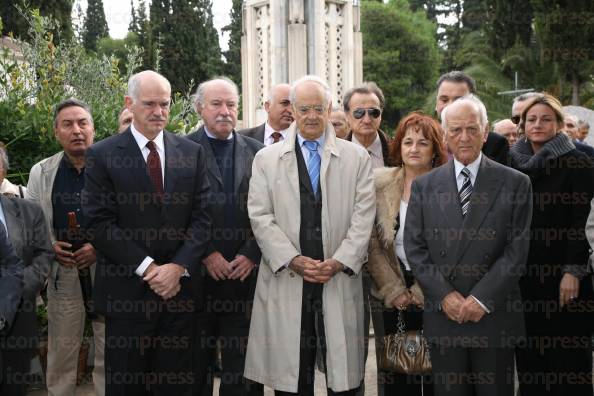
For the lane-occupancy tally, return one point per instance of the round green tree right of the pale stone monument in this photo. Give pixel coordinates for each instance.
(400, 54)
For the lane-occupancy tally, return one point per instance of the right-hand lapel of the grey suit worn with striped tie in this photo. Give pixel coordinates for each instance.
(484, 193)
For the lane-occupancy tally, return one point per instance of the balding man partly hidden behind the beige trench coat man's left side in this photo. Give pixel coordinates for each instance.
(280, 116)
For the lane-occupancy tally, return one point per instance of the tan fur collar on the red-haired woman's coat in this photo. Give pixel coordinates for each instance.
(389, 186)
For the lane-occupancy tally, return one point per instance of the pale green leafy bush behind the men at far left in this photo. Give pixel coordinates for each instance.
(52, 73)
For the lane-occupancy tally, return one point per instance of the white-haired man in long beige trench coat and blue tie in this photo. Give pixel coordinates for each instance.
(311, 204)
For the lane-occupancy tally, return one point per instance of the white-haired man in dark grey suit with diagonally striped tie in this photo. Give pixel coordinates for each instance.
(466, 239)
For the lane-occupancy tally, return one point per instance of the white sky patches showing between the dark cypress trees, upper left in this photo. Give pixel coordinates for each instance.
(117, 13)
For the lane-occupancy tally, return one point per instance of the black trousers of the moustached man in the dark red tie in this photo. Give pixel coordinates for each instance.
(150, 357)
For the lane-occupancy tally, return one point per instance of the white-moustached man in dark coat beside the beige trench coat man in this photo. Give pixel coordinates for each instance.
(232, 254)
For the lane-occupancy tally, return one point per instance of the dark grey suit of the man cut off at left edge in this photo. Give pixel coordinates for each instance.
(29, 235)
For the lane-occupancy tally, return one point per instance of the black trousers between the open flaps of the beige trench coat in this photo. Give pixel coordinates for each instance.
(312, 341)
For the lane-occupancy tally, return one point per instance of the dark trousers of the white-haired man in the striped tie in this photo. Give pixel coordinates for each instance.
(472, 371)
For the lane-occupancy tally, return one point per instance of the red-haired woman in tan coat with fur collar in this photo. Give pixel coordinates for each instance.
(416, 149)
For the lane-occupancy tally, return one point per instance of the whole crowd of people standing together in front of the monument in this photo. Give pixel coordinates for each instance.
(262, 255)
